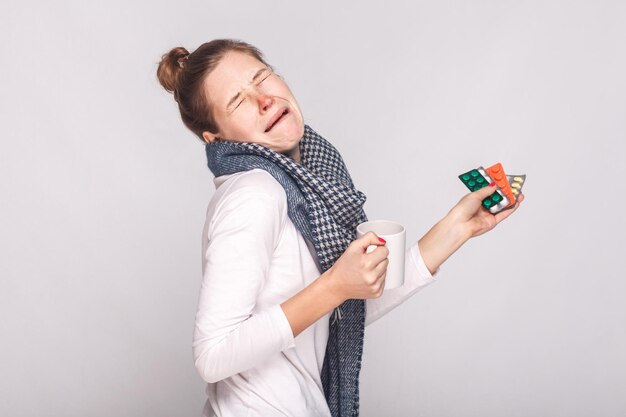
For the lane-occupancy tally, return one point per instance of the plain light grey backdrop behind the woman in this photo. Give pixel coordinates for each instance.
(104, 192)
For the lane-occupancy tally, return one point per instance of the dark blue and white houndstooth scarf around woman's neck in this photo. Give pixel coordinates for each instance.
(326, 208)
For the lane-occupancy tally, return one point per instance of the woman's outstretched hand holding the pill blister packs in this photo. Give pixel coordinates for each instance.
(477, 220)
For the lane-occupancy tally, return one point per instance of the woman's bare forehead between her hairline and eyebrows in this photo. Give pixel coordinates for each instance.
(233, 71)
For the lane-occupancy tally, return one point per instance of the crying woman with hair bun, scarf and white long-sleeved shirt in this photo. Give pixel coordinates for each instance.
(279, 248)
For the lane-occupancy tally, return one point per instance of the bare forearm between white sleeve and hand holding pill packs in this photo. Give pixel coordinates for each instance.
(441, 241)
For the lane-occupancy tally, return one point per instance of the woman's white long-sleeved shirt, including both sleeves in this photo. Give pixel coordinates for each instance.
(253, 260)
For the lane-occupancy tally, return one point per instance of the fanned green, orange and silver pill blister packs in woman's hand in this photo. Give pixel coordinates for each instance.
(508, 187)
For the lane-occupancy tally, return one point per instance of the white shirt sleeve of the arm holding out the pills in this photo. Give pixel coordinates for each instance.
(416, 277)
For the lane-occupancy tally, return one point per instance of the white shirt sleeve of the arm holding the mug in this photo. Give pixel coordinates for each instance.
(230, 334)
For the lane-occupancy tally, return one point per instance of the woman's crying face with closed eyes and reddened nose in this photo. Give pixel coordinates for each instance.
(250, 103)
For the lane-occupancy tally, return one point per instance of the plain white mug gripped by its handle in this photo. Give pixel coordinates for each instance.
(395, 235)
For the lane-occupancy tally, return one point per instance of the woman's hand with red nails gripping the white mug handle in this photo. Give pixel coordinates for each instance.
(357, 274)
